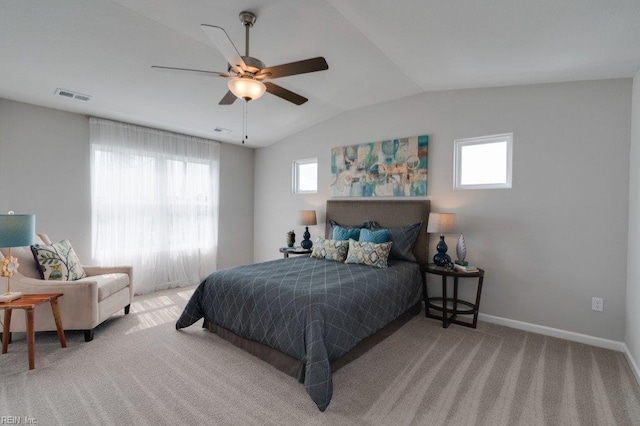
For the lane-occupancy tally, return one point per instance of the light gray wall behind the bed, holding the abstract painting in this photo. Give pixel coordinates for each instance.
(549, 244)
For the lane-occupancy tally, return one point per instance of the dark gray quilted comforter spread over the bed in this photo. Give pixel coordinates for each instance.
(313, 310)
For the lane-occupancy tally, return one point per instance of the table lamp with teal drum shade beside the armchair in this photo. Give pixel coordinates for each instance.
(16, 230)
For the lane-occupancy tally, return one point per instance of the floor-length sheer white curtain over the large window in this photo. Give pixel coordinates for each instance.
(154, 201)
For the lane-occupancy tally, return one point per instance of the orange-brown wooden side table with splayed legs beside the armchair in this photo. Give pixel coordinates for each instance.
(28, 302)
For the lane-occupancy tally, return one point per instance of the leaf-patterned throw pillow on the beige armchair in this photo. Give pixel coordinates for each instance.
(58, 261)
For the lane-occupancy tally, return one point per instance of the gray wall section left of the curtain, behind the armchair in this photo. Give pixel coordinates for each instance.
(44, 165)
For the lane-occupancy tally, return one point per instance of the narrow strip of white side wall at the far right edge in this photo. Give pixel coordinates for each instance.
(632, 332)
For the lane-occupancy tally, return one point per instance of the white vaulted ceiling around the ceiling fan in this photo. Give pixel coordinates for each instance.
(377, 50)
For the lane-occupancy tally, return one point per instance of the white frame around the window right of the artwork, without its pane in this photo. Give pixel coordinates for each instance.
(458, 144)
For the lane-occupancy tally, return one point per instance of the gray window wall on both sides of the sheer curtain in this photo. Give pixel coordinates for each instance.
(44, 169)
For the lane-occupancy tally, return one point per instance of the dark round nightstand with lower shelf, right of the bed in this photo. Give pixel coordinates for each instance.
(449, 314)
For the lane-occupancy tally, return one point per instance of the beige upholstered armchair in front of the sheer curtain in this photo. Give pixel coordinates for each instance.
(86, 303)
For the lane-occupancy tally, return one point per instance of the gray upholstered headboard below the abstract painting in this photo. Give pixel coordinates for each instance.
(388, 213)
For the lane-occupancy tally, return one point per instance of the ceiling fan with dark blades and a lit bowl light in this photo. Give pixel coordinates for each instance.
(247, 76)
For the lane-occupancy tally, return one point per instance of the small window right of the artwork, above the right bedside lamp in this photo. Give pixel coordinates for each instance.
(483, 162)
